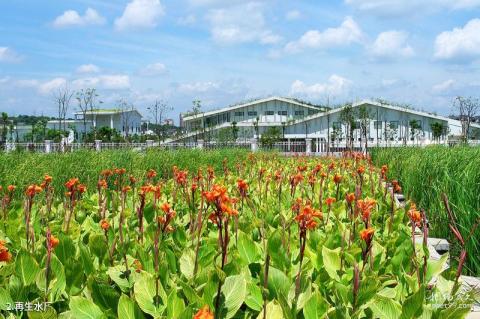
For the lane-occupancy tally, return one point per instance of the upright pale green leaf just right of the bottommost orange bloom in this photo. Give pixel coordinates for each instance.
(234, 291)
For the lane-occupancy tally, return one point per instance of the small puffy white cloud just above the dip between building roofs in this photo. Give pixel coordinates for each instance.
(336, 85)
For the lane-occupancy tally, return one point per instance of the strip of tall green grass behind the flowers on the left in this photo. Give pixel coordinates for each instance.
(23, 168)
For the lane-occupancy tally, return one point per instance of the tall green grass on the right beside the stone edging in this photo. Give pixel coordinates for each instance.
(427, 173)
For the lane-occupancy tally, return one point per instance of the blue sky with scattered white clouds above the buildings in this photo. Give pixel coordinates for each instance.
(420, 52)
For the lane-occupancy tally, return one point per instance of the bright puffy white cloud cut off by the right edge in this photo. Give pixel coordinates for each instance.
(460, 43)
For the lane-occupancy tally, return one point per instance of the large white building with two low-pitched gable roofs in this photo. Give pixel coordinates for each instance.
(299, 120)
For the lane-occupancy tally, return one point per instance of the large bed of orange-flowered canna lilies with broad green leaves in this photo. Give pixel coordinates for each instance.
(313, 238)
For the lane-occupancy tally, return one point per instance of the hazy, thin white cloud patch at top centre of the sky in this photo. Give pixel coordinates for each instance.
(241, 24)
